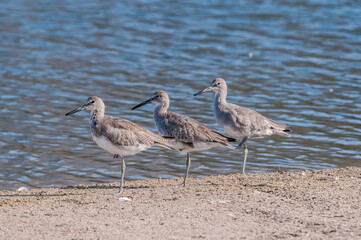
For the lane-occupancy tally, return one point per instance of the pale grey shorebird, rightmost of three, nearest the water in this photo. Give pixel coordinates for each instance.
(241, 122)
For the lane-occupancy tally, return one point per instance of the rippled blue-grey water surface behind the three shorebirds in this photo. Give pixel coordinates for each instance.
(298, 62)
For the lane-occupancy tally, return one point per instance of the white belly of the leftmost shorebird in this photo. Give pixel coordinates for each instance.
(108, 146)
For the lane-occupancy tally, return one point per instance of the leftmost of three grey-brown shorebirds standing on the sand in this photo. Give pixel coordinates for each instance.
(116, 135)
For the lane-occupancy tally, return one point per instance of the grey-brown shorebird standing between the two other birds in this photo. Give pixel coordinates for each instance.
(189, 134)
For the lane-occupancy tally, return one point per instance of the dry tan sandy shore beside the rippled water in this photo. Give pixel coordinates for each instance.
(322, 204)
